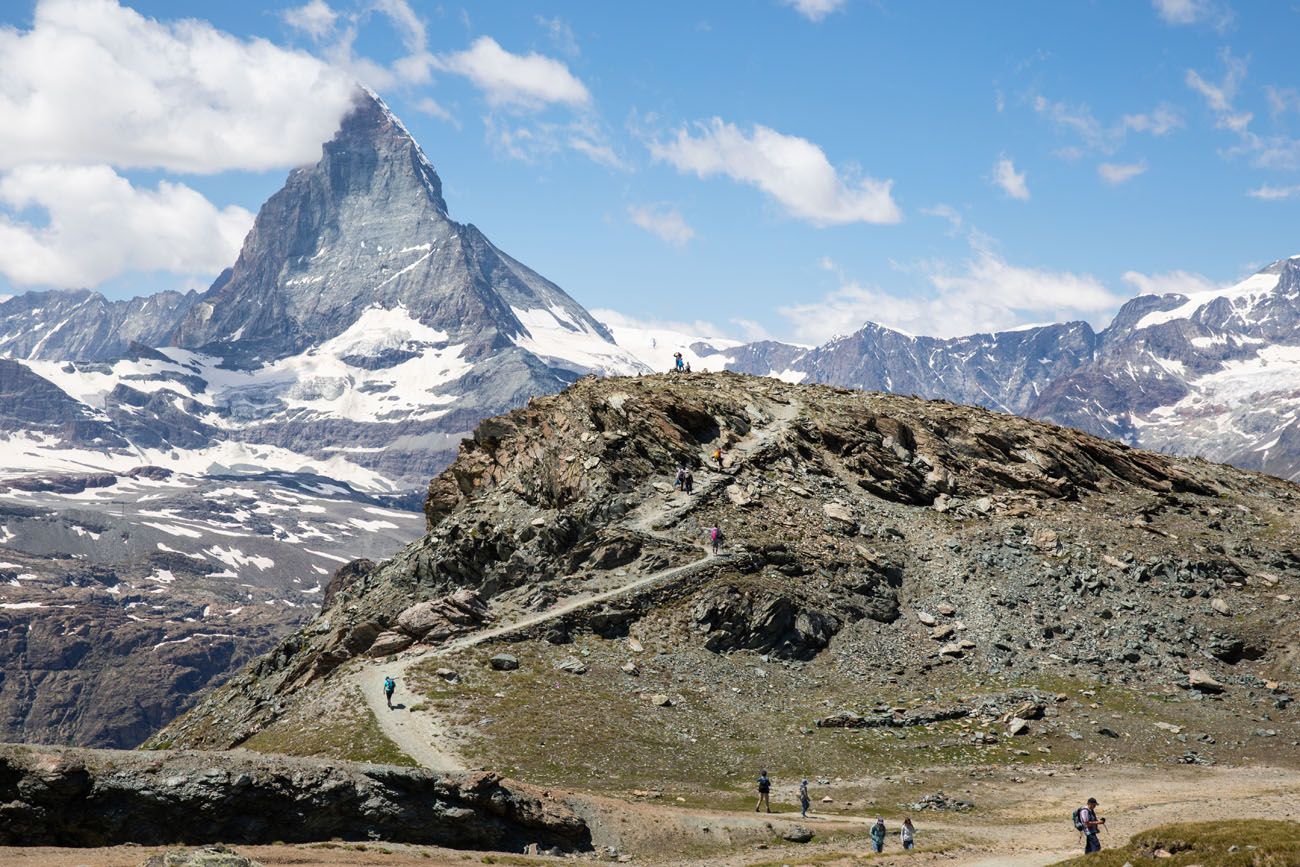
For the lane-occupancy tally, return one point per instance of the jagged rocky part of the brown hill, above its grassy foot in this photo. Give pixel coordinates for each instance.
(848, 519)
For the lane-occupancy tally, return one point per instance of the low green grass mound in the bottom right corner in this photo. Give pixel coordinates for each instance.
(1258, 844)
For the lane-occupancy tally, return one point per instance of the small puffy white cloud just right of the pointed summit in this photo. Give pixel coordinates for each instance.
(519, 81)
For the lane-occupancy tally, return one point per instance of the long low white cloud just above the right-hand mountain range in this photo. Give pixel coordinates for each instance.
(985, 294)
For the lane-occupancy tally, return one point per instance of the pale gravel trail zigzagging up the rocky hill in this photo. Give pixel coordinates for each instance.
(423, 735)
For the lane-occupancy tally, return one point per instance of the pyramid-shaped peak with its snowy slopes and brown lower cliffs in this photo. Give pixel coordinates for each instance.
(181, 475)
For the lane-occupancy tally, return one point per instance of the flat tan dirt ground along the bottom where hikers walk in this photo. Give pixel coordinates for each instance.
(1015, 825)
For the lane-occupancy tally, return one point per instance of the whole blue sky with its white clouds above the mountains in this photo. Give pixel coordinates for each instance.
(762, 167)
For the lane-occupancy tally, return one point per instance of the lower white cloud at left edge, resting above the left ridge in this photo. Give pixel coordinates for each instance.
(101, 227)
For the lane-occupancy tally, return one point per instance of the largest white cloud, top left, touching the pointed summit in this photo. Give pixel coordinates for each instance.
(98, 84)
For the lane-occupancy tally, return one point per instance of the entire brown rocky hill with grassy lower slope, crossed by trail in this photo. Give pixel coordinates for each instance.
(894, 575)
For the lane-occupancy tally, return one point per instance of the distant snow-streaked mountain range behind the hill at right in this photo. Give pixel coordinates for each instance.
(1215, 375)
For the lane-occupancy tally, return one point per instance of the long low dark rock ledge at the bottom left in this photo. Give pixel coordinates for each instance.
(66, 797)
